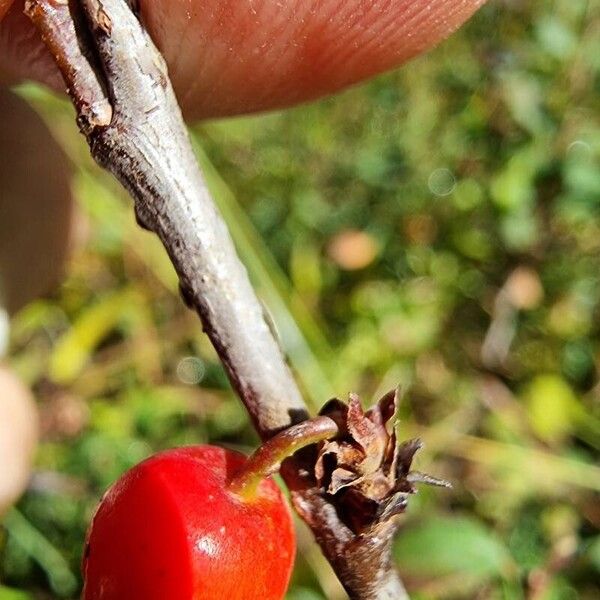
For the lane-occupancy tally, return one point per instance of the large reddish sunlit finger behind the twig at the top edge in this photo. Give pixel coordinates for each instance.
(236, 56)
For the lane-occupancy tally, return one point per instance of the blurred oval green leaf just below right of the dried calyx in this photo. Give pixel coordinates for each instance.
(446, 545)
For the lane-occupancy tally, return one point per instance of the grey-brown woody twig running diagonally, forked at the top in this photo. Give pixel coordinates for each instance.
(109, 64)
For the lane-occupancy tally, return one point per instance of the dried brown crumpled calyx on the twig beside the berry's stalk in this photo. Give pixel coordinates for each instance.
(365, 469)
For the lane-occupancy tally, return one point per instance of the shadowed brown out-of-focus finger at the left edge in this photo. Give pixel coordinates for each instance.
(38, 218)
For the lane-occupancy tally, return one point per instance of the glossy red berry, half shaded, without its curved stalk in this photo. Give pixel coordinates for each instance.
(169, 529)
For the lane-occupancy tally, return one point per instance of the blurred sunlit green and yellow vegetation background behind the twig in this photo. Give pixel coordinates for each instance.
(438, 228)
